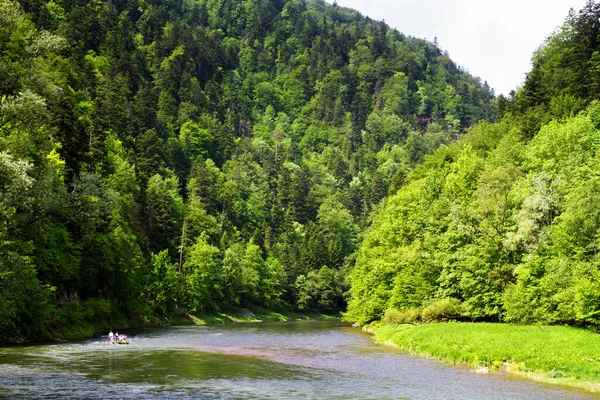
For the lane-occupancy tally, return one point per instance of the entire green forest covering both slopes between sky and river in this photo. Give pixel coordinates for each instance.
(163, 158)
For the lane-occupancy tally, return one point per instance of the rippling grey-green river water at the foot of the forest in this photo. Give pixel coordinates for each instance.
(299, 360)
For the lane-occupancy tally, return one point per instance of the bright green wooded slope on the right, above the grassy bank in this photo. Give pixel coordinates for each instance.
(504, 224)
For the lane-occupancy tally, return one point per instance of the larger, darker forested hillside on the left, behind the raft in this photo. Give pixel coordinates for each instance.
(164, 156)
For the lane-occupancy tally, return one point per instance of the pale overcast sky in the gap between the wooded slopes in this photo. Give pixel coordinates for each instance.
(491, 39)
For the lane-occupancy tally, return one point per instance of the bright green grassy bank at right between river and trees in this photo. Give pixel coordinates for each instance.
(553, 354)
